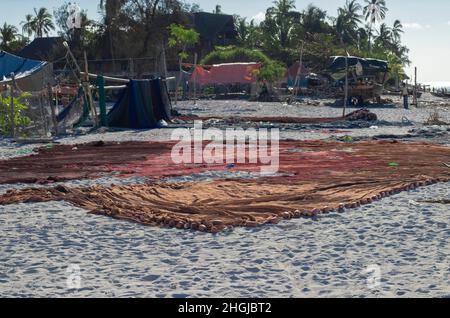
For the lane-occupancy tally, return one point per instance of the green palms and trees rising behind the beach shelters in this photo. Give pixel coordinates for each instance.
(140, 28)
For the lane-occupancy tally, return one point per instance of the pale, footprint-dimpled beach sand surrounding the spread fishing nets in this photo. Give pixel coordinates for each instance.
(402, 239)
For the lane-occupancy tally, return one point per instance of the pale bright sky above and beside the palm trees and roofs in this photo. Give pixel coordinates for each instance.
(427, 24)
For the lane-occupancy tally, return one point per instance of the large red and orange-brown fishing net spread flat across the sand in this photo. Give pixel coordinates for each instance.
(319, 177)
